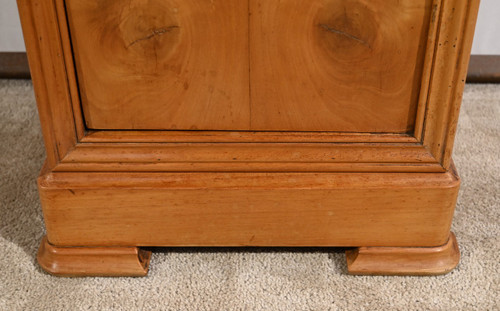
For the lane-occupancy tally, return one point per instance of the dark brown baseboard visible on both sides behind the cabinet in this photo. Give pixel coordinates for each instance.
(482, 68)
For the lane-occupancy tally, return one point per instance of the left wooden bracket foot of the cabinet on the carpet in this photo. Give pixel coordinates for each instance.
(93, 261)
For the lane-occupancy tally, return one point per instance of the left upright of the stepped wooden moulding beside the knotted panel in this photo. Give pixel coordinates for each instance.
(49, 73)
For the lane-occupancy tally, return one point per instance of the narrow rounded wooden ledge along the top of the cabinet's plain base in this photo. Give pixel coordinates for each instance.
(252, 181)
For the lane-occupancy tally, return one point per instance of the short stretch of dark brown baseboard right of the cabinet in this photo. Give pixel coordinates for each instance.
(484, 69)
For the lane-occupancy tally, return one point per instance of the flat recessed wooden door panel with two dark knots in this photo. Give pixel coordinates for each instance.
(261, 65)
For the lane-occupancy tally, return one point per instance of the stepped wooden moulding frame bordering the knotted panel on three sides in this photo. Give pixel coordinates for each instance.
(70, 148)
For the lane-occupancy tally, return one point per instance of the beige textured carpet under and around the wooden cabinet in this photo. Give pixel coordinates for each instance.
(251, 279)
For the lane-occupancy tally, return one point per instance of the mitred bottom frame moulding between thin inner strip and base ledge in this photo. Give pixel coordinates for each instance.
(249, 157)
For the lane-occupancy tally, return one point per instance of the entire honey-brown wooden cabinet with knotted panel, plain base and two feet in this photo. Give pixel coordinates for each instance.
(248, 123)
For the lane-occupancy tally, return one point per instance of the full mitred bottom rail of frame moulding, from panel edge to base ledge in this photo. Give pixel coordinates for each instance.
(248, 151)
